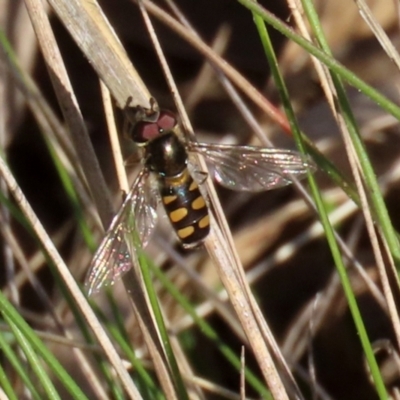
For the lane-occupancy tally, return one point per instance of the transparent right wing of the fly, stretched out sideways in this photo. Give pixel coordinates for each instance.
(251, 168)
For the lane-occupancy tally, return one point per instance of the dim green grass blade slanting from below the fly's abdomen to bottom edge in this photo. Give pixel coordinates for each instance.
(210, 333)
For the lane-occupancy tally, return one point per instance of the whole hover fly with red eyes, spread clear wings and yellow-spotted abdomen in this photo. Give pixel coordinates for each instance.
(168, 177)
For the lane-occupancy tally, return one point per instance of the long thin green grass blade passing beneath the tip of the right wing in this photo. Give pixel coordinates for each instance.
(380, 387)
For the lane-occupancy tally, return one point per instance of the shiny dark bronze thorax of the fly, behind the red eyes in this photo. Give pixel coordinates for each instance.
(166, 155)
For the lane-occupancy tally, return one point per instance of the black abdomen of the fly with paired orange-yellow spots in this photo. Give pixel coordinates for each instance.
(186, 209)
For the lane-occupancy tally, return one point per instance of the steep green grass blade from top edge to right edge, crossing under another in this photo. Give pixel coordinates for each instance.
(380, 210)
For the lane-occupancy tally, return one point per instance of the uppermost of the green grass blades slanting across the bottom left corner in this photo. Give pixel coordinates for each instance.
(16, 320)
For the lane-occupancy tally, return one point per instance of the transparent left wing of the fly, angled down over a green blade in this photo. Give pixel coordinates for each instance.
(135, 219)
